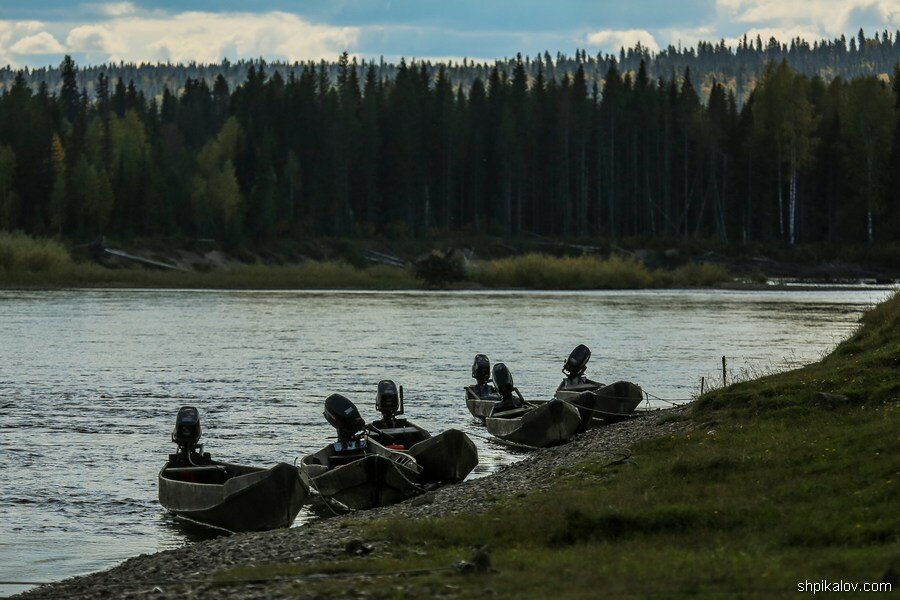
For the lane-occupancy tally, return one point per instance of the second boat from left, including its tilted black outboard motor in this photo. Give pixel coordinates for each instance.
(357, 472)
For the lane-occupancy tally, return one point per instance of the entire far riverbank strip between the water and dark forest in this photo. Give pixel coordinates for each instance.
(43, 263)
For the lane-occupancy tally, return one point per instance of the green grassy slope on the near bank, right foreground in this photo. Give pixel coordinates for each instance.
(763, 492)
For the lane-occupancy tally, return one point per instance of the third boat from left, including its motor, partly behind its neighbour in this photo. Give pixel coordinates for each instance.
(446, 457)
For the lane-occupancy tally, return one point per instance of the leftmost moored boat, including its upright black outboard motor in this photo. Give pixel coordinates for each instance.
(226, 496)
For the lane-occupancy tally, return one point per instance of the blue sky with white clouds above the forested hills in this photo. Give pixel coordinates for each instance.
(39, 32)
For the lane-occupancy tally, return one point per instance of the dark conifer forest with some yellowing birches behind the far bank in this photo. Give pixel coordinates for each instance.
(541, 149)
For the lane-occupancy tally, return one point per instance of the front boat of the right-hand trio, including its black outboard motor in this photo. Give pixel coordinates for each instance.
(516, 422)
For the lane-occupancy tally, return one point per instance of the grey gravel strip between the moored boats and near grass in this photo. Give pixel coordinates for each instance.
(184, 572)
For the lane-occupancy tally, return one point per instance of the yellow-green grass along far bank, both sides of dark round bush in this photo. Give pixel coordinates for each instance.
(29, 262)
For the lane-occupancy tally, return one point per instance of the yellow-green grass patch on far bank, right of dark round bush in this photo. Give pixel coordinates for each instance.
(540, 271)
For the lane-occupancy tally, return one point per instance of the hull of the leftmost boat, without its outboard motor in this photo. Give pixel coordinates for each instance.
(255, 500)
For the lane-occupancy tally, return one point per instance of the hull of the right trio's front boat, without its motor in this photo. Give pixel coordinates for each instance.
(545, 425)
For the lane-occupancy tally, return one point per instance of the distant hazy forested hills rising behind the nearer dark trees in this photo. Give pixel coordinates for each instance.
(737, 65)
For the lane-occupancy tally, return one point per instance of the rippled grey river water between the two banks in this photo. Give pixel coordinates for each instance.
(90, 381)
